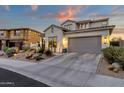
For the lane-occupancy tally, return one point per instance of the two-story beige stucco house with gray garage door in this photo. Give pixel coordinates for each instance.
(79, 36)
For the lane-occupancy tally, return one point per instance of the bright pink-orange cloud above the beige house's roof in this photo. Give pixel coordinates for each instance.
(69, 12)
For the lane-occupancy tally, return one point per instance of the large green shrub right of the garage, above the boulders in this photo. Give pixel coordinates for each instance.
(114, 54)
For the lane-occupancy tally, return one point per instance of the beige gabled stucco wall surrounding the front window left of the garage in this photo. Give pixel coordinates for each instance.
(56, 32)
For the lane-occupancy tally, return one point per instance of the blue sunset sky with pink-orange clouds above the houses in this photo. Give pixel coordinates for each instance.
(39, 17)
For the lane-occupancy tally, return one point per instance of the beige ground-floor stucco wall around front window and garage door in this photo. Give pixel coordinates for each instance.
(62, 38)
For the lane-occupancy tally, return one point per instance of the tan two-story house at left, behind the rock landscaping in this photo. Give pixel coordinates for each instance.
(19, 37)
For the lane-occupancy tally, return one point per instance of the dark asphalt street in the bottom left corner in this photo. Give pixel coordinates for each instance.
(12, 79)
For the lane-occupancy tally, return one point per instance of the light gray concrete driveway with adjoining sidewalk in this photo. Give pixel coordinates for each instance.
(66, 70)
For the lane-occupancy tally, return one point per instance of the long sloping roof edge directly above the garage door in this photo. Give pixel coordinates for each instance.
(110, 28)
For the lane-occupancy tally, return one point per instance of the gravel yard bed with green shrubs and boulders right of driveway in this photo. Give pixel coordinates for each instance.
(112, 63)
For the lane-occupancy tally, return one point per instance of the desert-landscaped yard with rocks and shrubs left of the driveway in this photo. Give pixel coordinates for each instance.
(29, 55)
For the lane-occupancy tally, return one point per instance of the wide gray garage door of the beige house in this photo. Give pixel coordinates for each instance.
(85, 44)
